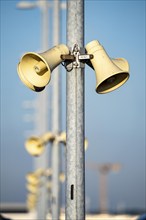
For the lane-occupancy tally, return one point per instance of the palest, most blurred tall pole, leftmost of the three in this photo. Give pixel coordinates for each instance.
(42, 123)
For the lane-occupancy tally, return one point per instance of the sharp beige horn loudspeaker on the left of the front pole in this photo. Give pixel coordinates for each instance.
(34, 69)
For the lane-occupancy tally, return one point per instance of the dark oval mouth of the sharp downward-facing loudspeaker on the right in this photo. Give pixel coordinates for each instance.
(112, 83)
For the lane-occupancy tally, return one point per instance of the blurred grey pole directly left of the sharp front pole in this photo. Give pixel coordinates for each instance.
(56, 120)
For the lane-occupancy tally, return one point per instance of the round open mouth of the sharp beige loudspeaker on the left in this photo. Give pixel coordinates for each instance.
(34, 71)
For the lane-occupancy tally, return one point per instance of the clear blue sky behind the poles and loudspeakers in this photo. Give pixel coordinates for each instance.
(114, 122)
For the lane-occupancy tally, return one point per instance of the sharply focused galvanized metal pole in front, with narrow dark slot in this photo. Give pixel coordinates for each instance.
(75, 184)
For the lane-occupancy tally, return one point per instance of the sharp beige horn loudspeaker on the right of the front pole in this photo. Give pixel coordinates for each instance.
(110, 73)
